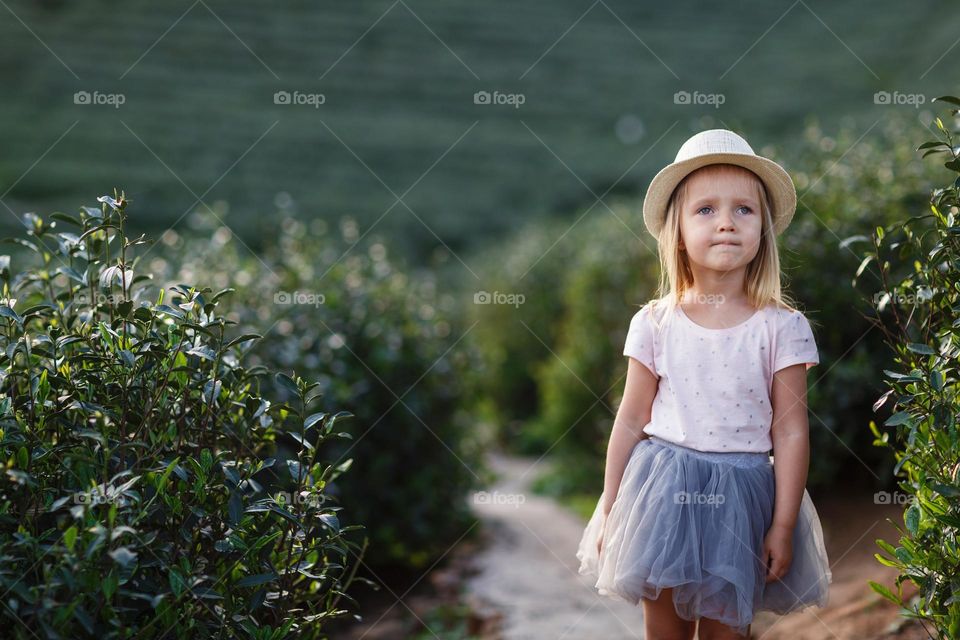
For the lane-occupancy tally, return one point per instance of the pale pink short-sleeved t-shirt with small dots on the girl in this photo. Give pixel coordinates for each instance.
(715, 384)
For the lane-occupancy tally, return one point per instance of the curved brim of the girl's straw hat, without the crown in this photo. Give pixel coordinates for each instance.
(778, 183)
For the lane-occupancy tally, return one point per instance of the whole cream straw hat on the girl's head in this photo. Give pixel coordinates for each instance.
(716, 146)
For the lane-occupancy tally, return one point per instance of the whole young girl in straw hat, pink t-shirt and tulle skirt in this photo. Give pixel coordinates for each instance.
(695, 519)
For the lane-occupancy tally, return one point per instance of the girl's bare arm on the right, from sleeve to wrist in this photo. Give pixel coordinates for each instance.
(791, 443)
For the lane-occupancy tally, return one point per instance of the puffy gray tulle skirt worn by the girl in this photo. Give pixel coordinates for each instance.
(695, 521)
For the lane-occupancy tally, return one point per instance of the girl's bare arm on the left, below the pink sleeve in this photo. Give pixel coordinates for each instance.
(632, 416)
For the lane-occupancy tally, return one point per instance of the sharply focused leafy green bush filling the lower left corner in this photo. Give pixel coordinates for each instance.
(142, 494)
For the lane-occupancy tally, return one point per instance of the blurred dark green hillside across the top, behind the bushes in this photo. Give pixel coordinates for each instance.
(180, 101)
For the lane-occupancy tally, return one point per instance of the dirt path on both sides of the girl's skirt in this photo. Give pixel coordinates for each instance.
(528, 574)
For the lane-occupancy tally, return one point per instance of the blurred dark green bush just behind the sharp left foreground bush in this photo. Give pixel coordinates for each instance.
(383, 340)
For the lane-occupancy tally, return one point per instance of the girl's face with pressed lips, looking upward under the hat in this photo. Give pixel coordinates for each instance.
(721, 220)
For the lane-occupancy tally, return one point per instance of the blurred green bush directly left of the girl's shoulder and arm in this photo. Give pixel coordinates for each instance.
(580, 384)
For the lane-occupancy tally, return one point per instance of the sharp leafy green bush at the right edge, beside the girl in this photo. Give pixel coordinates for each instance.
(919, 303)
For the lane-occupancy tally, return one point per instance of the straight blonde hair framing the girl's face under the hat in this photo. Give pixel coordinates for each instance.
(762, 278)
